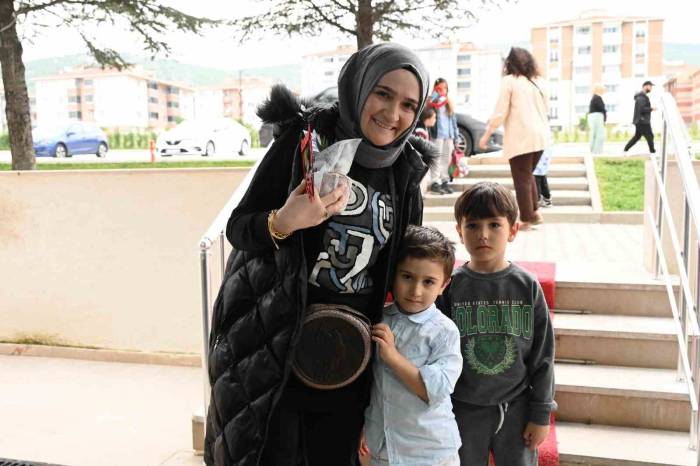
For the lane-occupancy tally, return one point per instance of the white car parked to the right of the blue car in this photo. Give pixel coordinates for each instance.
(205, 137)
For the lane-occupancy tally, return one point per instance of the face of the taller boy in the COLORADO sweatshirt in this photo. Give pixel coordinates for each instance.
(486, 238)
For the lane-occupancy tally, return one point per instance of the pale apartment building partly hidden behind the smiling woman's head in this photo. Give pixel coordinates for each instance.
(473, 74)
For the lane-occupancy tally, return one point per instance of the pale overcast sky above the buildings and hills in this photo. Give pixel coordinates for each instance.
(510, 24)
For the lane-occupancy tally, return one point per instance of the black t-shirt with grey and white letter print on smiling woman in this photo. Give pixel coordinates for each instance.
(350, 242)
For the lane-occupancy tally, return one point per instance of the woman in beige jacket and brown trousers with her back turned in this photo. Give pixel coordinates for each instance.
(522, 111)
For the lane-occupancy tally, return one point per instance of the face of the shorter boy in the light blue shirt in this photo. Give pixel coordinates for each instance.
(418, 283)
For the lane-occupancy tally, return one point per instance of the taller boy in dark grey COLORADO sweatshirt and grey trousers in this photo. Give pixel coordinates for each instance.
(505, 394)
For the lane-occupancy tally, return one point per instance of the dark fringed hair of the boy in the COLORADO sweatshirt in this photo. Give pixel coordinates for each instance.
(485, 200)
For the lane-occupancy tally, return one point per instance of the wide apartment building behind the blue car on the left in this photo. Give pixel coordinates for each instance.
(129, 99)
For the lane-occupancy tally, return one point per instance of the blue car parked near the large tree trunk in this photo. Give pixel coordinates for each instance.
(68, 139)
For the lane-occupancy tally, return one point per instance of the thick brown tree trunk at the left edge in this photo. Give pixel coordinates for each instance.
(19, 122)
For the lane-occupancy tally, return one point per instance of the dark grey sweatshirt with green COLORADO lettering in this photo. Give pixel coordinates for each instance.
(506, 339)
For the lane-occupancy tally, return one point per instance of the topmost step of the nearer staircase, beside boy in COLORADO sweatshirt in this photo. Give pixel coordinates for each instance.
(639, 298)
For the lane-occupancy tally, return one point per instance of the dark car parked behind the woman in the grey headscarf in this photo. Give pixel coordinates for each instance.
(470, 129)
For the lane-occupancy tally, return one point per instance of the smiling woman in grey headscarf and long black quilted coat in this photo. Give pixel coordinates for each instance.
(291, 251)
